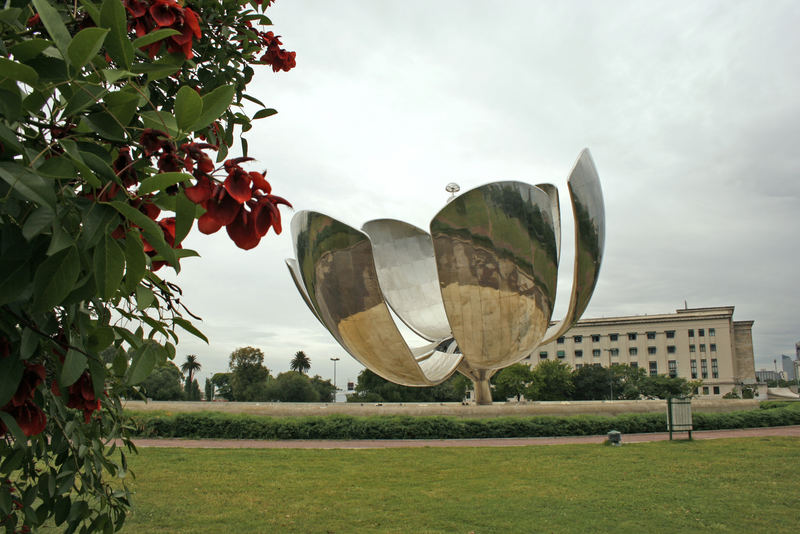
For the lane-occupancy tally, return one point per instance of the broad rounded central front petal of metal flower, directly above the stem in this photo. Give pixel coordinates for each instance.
(498, 264)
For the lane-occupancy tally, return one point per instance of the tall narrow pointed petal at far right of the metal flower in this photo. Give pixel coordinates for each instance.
(590, 235)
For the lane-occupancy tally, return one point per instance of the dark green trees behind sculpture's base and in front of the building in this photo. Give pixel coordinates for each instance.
(551, 380)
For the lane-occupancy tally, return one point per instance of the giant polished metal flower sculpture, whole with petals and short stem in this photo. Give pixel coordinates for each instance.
(479, 288)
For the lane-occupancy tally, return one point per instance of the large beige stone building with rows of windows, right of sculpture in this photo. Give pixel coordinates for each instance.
(696, 343)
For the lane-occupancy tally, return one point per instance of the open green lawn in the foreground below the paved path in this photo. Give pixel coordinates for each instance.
(732, 485)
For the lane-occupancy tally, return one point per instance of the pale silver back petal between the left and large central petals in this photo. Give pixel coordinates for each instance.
(407, 276)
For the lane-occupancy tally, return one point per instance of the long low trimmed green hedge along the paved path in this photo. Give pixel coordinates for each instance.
(225, 426)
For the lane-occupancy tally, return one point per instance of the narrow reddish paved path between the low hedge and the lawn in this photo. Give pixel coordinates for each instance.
(793, 431)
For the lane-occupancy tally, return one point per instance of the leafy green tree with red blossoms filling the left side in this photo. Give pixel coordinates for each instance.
(108, 114)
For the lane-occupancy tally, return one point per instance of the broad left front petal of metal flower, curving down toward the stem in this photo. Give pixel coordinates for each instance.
(335, 263)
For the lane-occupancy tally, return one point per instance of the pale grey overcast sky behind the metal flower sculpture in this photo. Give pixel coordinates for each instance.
(691, 111)
